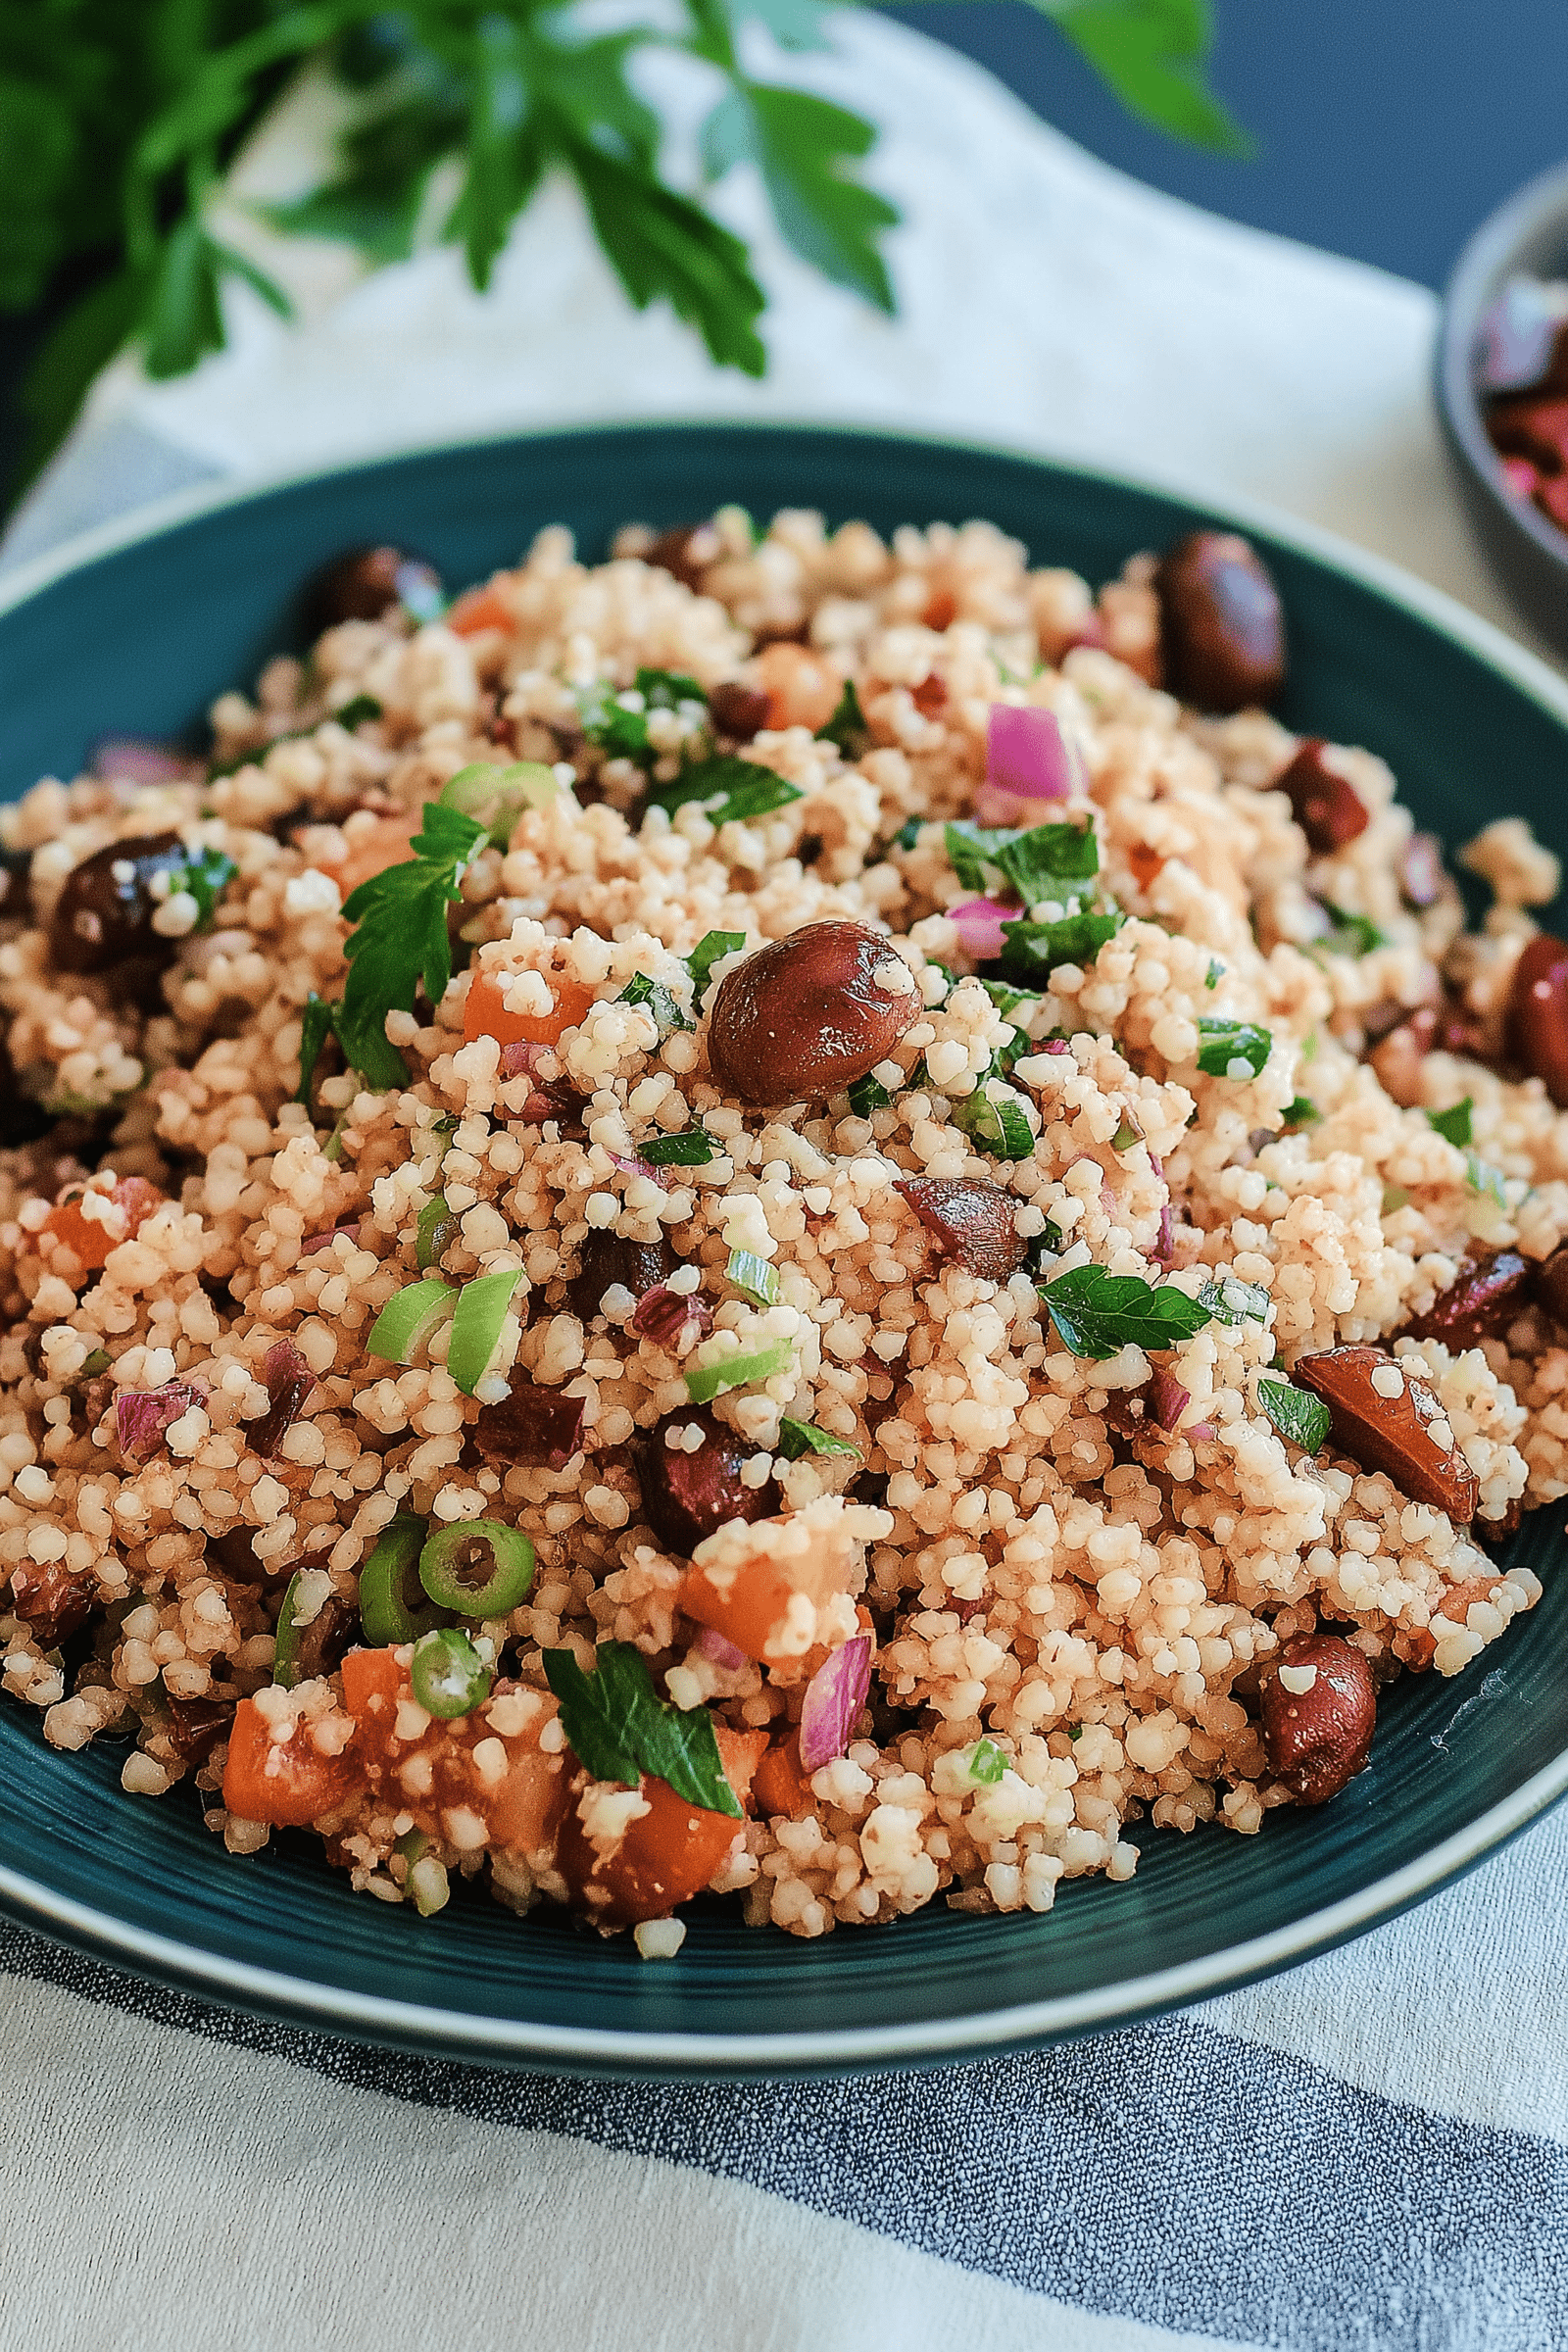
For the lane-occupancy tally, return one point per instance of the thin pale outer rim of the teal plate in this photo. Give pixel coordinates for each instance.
(932, 2040)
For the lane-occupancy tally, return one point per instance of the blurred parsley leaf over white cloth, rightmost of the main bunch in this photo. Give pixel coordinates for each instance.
(805, 147)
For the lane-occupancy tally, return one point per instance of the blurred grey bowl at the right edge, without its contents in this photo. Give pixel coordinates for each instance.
(1527, 236)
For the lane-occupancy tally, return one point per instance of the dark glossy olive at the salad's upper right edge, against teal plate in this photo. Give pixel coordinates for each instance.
(1224, 634)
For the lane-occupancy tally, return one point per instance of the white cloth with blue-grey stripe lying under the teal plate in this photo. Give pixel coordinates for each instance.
(1369, 2153)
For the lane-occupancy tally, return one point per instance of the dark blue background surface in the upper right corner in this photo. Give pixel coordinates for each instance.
(1386, 128)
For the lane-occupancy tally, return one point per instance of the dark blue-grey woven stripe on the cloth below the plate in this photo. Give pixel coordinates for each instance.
(1170, 2174)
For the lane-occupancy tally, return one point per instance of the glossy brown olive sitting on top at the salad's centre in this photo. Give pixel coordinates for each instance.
(808, 1015)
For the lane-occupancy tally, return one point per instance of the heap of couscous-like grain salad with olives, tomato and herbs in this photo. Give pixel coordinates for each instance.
(793, 1215)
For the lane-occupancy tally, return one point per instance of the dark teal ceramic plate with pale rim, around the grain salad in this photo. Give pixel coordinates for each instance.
(135, 632)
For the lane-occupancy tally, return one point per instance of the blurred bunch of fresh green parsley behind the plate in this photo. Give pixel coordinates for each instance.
(119, 121)
